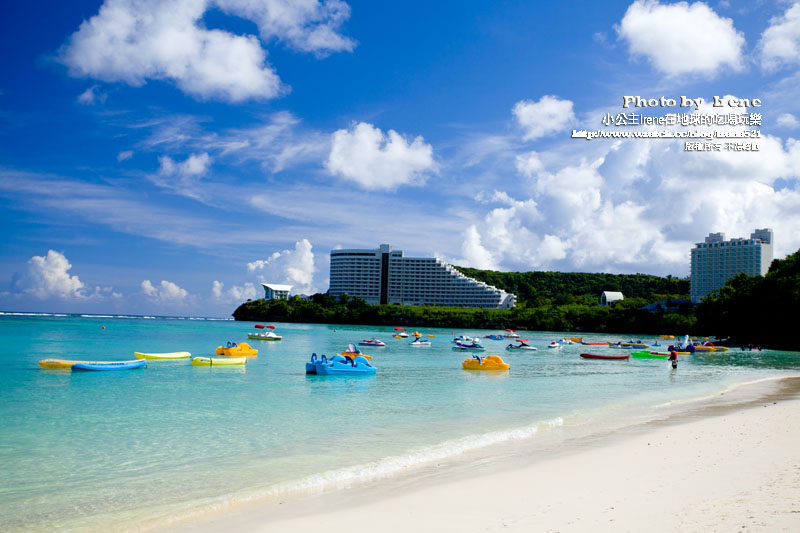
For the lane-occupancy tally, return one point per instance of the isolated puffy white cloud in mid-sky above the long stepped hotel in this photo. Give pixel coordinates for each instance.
(364, 155)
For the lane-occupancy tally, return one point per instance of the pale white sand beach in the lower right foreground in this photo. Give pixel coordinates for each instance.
(706, 462)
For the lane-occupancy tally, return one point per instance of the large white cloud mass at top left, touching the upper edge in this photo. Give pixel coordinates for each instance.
(133, 41)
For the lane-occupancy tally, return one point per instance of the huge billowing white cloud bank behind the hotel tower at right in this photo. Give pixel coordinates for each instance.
(637, 206)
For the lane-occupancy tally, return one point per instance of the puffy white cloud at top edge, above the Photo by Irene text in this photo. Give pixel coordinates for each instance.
(682, 38)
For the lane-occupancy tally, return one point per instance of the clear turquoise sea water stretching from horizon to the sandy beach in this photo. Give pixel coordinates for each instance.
(99, 451)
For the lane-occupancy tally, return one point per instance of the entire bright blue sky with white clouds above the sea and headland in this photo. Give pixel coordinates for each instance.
(166, 157)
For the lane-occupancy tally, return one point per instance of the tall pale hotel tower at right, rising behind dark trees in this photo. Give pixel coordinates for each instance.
(717, 260)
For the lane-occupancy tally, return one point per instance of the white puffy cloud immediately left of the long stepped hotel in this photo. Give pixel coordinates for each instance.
(291, 267)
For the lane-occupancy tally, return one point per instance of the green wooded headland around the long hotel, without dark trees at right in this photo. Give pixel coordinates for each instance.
(547, 301)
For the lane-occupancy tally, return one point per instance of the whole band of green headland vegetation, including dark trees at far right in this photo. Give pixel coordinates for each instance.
(747, 310)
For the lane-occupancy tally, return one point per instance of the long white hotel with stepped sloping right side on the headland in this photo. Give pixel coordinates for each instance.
(384, 276)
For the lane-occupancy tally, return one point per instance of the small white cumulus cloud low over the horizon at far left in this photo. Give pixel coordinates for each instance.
(48, 277)
